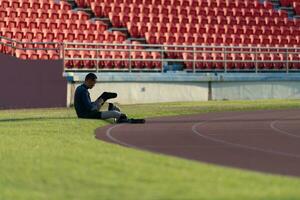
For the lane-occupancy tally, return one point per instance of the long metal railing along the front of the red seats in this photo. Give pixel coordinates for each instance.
(151, 57)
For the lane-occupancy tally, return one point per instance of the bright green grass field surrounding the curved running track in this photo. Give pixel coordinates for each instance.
(50, 154)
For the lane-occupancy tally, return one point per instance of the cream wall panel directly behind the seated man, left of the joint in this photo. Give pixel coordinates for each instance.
(137, 93)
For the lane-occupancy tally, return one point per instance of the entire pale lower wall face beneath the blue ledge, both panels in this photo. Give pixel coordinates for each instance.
(157, 92)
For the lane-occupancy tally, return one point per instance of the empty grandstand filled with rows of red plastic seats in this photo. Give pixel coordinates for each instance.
(201, 35)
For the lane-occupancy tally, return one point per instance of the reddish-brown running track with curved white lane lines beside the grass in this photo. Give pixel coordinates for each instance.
(265, 141)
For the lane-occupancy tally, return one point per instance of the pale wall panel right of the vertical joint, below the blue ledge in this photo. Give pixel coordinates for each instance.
(256, 90)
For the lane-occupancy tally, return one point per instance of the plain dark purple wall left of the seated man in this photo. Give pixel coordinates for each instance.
(31, 83)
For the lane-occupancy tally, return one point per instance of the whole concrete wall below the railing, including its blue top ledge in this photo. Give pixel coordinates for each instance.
(170, 87)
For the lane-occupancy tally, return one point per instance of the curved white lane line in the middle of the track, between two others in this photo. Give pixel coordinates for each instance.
(194, 129)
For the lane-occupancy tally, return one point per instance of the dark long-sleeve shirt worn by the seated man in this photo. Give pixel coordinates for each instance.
(82, 101)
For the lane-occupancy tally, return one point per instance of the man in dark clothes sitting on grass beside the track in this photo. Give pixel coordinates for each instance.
(85, 108)
